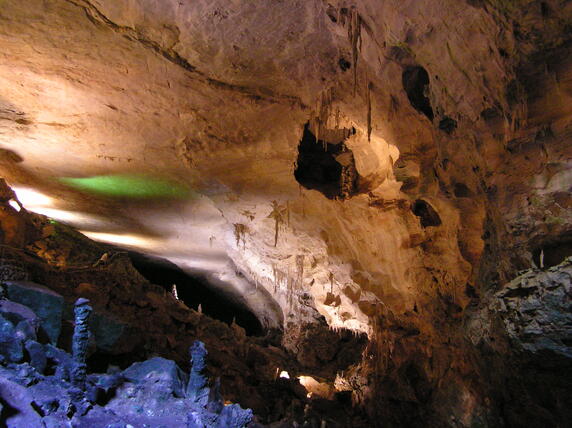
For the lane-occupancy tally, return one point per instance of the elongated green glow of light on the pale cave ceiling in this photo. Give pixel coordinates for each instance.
(128, 186)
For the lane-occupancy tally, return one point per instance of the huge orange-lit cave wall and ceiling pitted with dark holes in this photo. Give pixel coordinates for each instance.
(455, 119)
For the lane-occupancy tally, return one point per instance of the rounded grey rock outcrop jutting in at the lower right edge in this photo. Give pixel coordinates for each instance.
(523, 335)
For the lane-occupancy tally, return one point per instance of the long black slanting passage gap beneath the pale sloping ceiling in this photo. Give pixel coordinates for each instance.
(194, 291)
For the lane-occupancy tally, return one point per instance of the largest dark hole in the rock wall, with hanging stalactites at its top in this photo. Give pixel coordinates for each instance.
(325, 166)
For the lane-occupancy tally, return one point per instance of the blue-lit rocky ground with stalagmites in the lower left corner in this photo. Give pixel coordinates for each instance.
(148, 393)
